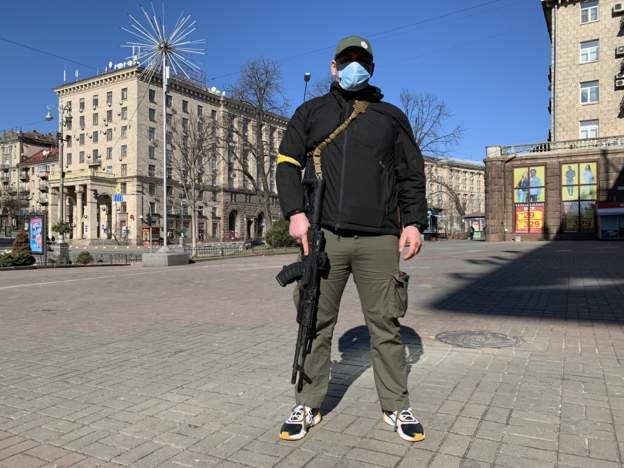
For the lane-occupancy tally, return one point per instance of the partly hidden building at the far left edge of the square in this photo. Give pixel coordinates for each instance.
(16, 146)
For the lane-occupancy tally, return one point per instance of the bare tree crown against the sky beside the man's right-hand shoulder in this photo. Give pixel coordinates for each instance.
(429, 117)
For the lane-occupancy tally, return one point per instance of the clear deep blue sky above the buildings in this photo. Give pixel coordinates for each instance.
(489, 64)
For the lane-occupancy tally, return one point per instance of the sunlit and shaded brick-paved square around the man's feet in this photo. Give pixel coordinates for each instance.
(190, 366)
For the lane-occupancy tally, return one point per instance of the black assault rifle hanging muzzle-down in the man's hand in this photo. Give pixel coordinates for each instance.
(308, 271)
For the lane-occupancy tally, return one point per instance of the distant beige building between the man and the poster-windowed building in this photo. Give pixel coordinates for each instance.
(455, 194)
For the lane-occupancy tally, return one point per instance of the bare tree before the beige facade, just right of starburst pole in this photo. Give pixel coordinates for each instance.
(193, 161)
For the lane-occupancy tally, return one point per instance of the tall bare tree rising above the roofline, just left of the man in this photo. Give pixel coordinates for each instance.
(259, 88)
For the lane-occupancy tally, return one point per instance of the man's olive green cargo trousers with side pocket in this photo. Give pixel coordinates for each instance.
(374, 262)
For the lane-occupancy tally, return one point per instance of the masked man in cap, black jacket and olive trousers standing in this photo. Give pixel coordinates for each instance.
(374, 206)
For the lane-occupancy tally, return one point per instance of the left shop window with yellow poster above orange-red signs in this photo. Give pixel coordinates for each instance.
(529, 199)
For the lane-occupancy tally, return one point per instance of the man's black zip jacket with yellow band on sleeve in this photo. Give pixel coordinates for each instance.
(373, 171)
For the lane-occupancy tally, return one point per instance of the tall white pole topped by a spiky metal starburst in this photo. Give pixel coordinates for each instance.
(157, 52)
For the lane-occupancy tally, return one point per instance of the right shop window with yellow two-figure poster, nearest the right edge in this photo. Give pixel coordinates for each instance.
(579, 184)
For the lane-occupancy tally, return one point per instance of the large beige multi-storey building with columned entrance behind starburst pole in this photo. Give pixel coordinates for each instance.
(113, 161)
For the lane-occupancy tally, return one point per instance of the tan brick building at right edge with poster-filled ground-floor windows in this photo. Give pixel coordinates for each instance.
(572, 185)
